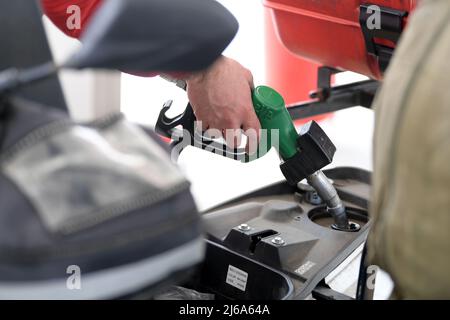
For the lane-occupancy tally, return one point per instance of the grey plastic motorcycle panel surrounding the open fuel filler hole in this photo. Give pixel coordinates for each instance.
(310, 250)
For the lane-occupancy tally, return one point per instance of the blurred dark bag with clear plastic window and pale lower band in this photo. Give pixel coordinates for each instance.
(89, 212)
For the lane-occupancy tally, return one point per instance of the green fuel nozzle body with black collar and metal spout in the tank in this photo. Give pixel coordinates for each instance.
(304, 154)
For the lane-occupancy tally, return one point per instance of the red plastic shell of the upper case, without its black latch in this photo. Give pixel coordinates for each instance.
(328, 31)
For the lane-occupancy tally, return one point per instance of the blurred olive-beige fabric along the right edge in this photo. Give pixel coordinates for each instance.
(411, 195)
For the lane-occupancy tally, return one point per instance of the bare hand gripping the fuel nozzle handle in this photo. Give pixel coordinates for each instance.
(221, 98)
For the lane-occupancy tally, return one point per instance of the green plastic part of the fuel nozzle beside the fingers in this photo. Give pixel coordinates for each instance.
(272, 114)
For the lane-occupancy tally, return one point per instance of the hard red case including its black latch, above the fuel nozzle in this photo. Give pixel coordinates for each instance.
(342, 34)
